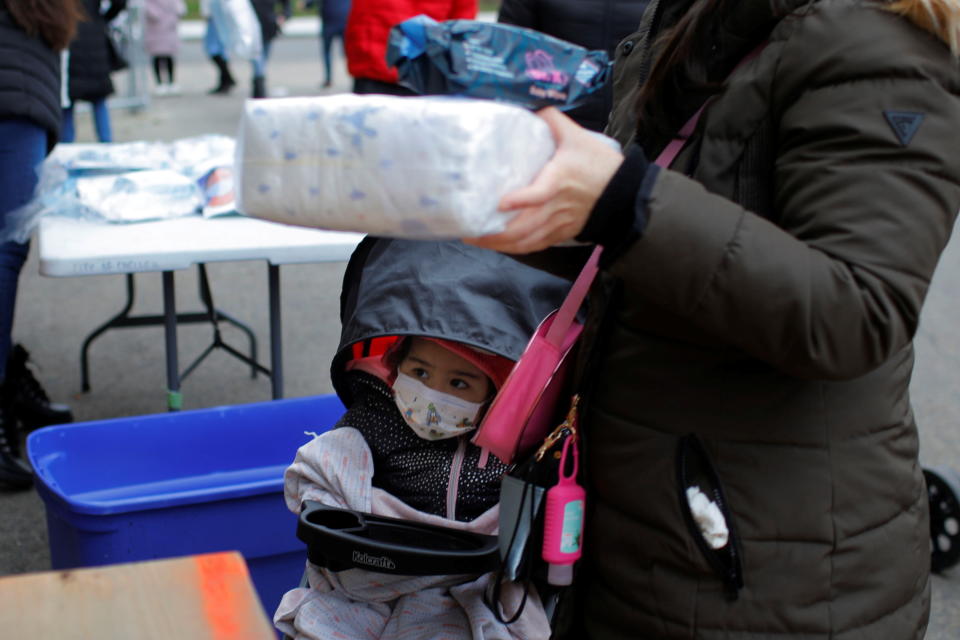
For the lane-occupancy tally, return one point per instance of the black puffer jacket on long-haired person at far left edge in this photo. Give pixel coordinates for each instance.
(29, 78)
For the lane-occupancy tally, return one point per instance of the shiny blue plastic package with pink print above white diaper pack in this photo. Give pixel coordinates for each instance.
(494, 61)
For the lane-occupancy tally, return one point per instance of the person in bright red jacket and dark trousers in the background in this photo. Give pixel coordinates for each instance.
(368, 29)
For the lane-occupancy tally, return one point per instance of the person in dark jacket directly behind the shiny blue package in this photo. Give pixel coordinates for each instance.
(592, 24)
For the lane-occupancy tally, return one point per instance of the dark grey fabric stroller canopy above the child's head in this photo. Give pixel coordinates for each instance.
(443, 290)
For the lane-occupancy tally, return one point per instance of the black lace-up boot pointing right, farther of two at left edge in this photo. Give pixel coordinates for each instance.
(25, 400)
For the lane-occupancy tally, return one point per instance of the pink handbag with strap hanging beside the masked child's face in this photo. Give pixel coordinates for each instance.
(522, 413)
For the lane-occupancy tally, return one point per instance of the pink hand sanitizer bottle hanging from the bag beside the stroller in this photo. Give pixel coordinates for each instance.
(563, 521)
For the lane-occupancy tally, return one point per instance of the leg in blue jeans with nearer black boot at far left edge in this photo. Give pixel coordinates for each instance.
(22, 148)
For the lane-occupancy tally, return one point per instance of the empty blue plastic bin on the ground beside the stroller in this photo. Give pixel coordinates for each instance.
(176, 484)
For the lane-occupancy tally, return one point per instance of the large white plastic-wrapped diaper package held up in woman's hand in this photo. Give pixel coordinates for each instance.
(410, 167)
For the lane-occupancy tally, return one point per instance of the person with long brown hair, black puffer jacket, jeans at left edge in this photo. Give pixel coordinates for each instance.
(31, 38)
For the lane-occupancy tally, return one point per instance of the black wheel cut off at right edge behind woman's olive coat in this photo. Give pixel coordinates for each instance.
(943, 490)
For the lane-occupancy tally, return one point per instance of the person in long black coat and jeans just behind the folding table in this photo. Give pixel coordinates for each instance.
(88, 76)
